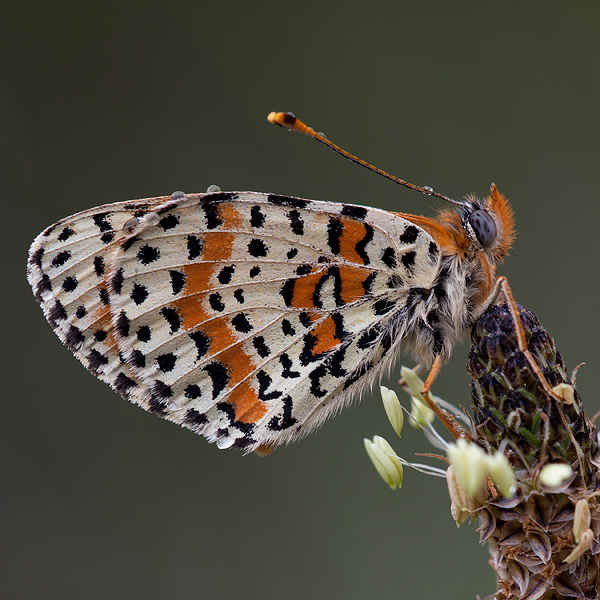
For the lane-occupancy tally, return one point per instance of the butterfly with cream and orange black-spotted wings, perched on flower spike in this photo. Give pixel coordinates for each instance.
(250, 318)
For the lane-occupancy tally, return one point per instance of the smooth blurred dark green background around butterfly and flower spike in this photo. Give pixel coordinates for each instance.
(101, 102)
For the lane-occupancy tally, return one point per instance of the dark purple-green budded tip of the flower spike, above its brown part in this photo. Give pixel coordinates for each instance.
(510, 404)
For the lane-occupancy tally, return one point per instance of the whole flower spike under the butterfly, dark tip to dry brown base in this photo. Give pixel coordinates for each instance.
(544, 542)
